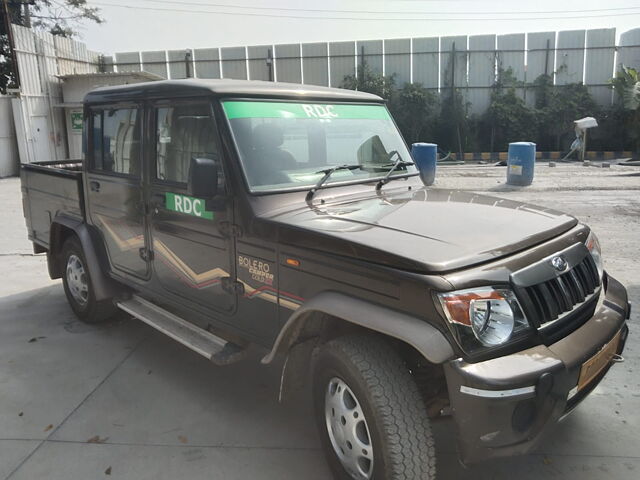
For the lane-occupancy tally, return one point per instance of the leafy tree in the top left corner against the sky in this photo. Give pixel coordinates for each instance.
(58, 17)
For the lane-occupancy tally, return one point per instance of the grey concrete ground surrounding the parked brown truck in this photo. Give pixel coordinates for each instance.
(122, 401)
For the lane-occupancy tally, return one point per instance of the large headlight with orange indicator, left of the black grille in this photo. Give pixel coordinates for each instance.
(483, 316)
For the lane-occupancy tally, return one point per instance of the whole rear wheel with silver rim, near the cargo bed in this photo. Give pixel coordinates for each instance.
(78, 287)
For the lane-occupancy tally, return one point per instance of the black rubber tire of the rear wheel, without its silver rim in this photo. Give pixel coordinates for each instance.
(89, 311)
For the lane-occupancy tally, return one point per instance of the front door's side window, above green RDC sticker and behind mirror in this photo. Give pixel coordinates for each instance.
(184, 132)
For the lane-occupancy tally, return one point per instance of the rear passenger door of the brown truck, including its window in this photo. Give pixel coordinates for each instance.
(114, 188)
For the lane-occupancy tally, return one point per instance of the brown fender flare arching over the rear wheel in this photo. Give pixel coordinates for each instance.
(104, 287)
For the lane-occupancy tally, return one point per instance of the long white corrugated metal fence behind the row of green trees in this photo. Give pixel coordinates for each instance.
(587, 56)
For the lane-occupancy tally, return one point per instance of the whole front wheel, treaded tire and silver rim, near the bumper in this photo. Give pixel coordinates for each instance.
(371, 417)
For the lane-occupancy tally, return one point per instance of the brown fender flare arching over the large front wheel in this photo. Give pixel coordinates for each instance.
(422, 336)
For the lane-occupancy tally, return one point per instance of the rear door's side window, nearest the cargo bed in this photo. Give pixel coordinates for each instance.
(116, 141)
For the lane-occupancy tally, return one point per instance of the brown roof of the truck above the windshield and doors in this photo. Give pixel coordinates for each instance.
(224, 88)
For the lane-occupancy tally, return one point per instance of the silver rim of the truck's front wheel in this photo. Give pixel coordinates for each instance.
(348, 430)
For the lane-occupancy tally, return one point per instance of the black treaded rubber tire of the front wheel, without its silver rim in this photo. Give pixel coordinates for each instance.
(399, 428)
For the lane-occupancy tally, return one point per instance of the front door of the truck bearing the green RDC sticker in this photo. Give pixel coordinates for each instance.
(191, 252)
